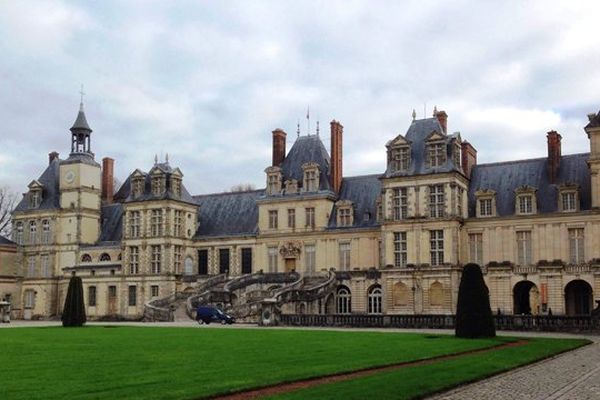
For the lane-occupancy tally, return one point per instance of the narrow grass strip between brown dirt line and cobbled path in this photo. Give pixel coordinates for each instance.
(416, 382)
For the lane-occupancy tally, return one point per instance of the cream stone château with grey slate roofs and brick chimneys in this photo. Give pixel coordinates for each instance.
(393, 242)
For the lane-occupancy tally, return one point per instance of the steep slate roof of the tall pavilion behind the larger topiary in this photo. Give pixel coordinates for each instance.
(417, 134)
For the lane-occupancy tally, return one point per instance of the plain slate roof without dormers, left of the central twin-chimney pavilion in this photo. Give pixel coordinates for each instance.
(228, 214)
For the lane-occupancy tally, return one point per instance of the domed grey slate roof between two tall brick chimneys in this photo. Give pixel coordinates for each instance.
(307, 149)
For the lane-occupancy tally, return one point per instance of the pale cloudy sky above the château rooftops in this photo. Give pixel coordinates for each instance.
(207, 82)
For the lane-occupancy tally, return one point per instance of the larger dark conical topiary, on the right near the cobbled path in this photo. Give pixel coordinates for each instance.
(473, 313)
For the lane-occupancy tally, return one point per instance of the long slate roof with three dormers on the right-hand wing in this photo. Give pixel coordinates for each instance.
(505, 177)
